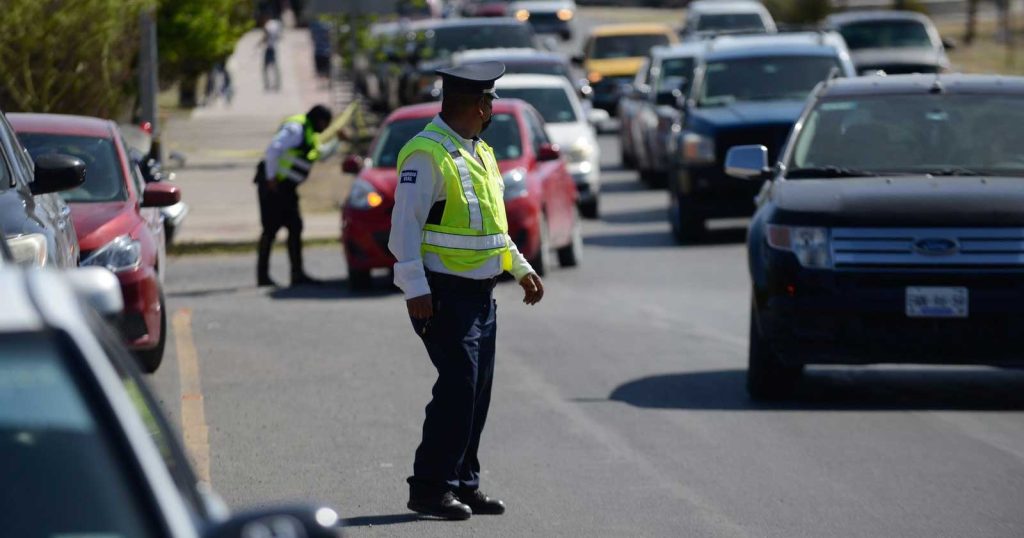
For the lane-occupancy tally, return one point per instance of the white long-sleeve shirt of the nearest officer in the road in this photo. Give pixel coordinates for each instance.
(413, 201)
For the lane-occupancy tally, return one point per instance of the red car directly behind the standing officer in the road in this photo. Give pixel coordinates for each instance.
(540, 194)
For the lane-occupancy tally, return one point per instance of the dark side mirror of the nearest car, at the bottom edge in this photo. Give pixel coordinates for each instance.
(297, 521)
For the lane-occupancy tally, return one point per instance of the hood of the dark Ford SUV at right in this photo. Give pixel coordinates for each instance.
(902, 201)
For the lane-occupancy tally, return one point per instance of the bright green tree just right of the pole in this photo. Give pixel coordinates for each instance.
(194, 35)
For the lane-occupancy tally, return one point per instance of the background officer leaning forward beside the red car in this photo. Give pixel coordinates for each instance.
(286, 164)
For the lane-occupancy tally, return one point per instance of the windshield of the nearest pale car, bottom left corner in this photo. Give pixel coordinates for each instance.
(64, 474)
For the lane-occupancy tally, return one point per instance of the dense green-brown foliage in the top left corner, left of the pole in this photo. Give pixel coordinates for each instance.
(69, 56)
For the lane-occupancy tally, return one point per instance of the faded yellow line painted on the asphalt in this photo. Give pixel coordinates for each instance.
(193, 416)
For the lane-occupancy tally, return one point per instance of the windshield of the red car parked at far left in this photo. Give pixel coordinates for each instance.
(104, 182)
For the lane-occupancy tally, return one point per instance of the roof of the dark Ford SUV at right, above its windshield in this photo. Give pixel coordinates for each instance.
(923, 85)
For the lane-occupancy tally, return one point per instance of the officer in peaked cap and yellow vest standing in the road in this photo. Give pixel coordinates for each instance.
(450, 236)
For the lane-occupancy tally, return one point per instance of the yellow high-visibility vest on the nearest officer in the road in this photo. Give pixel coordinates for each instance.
(474, 228)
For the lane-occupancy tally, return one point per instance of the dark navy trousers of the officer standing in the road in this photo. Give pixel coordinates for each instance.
(460, 340)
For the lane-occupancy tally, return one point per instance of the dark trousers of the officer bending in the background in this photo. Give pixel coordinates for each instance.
(280, 210)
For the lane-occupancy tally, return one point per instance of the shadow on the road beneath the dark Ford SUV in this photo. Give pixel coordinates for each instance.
(885, 390)
